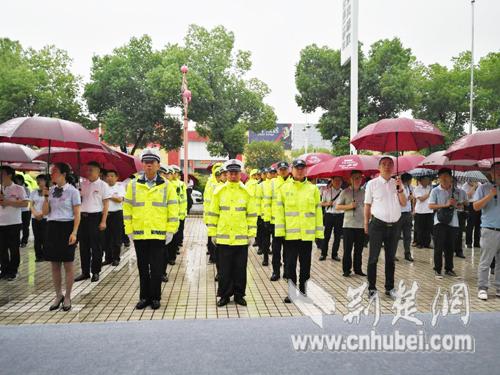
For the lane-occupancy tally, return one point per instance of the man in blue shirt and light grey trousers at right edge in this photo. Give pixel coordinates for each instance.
(486, 199)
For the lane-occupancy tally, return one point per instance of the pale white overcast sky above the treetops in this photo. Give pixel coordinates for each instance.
(273, 30)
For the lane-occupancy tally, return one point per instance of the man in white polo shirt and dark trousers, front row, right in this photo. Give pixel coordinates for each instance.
(384, 197)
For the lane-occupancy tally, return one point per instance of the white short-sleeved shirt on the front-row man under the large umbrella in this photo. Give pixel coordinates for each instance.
(382, 195)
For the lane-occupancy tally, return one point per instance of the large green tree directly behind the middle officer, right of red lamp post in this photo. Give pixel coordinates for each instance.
(226, 103)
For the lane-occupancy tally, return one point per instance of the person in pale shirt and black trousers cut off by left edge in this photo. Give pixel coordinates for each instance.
(12, 199)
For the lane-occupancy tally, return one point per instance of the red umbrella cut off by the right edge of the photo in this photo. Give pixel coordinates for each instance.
(477, 146)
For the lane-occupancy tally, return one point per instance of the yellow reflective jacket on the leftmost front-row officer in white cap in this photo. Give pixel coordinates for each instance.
(149, 213)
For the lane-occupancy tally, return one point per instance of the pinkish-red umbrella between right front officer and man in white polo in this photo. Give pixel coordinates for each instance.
(343, 165)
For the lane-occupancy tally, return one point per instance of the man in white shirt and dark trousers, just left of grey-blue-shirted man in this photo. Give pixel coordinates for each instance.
(424, 216)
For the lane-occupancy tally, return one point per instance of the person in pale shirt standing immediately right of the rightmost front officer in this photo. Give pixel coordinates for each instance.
(333, 219)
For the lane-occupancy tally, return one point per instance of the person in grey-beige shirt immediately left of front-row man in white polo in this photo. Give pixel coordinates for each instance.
(350, 201)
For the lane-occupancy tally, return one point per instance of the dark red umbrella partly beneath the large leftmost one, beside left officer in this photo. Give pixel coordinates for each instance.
(122, 163)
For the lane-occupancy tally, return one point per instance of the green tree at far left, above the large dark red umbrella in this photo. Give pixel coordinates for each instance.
(38, 83)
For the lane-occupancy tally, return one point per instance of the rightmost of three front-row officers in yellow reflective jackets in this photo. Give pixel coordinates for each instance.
(299, 219)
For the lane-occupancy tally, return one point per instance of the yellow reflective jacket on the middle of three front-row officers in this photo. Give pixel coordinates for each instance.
(232, 218)
